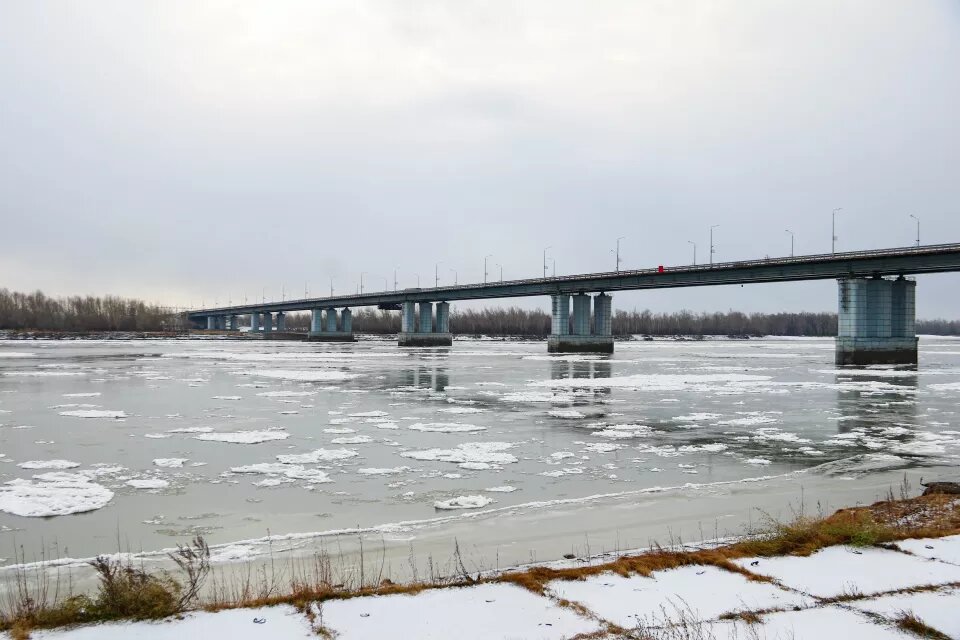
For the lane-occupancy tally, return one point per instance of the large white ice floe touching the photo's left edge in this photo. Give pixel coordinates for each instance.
(52, 496)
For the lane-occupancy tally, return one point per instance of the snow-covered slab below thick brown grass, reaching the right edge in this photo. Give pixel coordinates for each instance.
(845, 570)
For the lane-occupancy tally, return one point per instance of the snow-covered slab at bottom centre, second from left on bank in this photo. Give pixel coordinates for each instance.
(469, 613)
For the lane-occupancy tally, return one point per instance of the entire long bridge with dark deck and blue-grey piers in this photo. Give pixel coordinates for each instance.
(876, 301)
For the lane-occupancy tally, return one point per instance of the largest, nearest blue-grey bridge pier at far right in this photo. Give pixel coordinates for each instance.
(876, 321)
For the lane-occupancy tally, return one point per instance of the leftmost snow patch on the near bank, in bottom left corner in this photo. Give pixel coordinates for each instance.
(283, 623)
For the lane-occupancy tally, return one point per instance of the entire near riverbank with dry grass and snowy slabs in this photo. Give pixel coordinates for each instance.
(887, 570)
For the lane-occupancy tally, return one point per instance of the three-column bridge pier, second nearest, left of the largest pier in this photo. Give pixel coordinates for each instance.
(582, 339)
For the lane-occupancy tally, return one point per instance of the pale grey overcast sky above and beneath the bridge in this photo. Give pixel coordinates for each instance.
(188, 151)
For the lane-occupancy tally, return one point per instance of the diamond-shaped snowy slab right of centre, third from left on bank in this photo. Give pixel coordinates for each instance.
(707, 591)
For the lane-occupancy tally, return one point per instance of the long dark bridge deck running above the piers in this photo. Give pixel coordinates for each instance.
(882, 262)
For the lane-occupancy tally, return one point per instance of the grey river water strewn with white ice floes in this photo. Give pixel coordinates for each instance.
(141, 444)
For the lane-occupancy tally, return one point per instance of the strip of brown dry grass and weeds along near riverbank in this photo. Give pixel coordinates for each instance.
(126, 591)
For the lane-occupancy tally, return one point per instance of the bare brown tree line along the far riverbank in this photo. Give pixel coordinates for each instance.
(20, 311)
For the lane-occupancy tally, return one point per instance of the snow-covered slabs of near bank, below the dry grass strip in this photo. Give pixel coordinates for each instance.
(714, 602)
